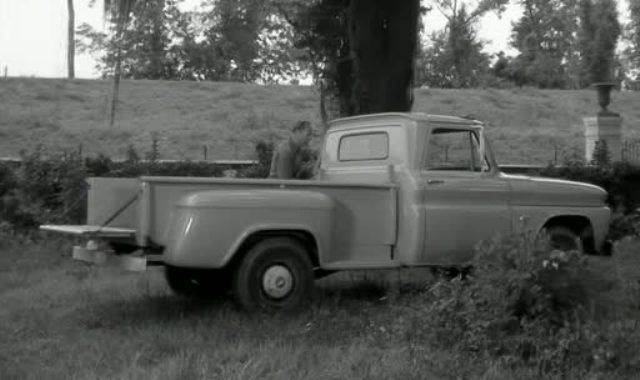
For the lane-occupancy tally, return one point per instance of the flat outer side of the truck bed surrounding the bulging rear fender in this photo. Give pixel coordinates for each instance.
(365, 215)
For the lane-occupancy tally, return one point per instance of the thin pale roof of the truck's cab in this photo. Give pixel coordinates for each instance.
(348, 122)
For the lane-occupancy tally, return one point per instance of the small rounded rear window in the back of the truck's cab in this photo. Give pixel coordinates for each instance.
(364, 146)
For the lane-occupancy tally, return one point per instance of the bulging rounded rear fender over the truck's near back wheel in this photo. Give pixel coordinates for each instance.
(206, 229)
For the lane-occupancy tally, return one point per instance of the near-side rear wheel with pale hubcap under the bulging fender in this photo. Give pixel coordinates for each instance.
(275, 275)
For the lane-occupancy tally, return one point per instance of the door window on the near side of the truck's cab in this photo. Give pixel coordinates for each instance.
(451, 149)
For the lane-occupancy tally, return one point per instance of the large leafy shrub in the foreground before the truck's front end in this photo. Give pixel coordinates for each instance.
(526, 305)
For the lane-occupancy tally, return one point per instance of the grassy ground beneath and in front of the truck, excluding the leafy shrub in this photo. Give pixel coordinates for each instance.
(63, 320)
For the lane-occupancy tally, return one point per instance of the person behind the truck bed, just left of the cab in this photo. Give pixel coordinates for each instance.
(285, 157)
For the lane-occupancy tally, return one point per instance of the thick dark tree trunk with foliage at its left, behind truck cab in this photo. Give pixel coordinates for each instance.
(361, 52)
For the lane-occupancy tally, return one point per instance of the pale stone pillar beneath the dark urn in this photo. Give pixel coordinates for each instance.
(607, 128)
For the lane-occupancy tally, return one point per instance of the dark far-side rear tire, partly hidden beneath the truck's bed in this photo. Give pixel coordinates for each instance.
(198, 283)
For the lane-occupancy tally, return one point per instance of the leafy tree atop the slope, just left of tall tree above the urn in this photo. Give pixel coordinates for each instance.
(544, 37)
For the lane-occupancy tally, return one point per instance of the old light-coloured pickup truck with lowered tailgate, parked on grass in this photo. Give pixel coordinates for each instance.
(392, 190)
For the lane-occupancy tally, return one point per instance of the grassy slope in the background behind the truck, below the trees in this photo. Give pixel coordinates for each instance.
(526, 126)
